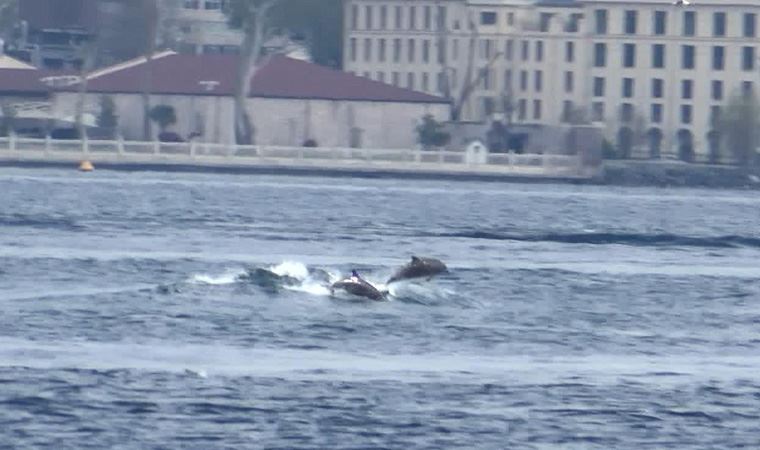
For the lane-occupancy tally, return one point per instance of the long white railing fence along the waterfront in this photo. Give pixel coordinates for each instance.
(200, 153)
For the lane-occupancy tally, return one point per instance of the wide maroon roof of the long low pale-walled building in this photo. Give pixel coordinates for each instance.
(281, 77)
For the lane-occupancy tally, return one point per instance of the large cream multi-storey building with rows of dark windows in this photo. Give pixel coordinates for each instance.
(653, 73)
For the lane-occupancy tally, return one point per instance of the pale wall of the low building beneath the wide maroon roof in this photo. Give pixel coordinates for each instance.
(278, 121)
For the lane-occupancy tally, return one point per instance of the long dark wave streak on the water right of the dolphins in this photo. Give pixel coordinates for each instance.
(632, 239)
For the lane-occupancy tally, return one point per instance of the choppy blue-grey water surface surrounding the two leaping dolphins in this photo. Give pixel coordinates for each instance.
(134, 314)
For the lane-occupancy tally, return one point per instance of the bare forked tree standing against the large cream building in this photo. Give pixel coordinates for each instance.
(473, 75)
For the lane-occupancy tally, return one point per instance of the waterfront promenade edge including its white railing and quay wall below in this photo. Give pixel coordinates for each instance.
(118, 154)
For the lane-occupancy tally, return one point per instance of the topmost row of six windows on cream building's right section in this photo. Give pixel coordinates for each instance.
(721, 23)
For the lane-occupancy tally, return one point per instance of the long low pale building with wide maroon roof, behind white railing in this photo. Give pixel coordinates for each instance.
(291, 101)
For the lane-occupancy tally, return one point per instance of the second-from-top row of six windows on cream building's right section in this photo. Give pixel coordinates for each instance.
(688, 56)
